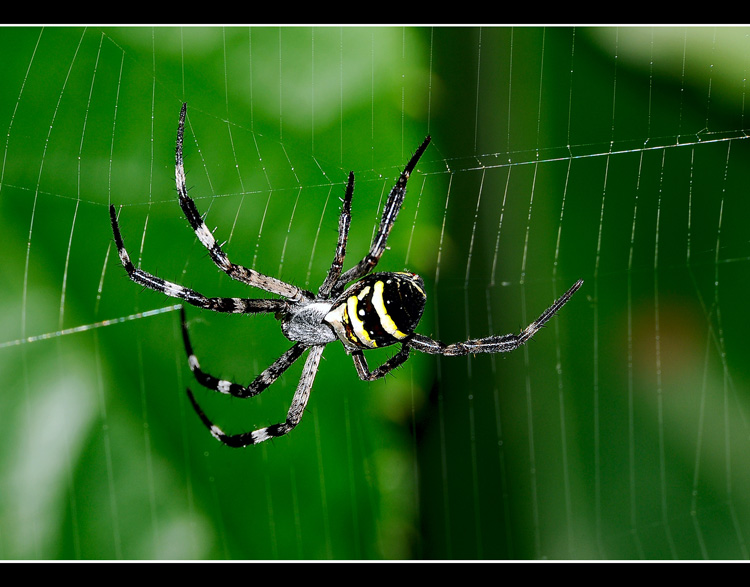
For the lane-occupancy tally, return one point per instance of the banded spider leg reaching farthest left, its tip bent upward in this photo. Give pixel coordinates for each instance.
(229, 305)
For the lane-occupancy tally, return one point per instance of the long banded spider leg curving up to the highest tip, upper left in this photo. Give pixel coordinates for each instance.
(219, 257)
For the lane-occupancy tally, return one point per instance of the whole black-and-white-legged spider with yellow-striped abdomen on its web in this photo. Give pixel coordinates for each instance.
(377, 310)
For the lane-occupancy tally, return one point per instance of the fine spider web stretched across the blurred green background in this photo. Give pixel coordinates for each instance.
(616, 155)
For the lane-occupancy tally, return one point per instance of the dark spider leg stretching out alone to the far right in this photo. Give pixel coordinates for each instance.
(492, 344)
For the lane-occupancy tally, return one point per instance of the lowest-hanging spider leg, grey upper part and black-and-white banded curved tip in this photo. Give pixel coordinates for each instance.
(294, 415)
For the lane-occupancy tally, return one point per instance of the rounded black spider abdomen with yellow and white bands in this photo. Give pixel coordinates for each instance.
(379, 310)
